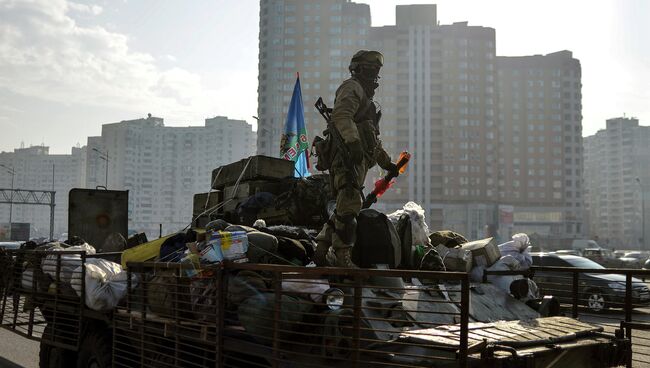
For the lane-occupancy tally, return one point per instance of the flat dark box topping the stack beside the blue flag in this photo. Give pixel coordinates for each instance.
(252, 168)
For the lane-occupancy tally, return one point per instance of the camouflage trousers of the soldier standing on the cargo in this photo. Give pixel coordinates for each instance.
(348, 202)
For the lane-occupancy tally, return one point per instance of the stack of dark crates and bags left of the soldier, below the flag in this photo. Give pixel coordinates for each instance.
(261, 187)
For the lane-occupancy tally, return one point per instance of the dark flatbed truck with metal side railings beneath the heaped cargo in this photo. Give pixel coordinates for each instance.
(282, 314)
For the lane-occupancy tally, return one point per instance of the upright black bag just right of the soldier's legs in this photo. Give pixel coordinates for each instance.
(377, 241)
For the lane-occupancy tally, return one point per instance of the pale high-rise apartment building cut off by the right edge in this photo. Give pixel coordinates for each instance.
(617, 181)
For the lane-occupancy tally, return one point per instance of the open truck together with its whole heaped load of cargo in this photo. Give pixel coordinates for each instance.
(232, 291)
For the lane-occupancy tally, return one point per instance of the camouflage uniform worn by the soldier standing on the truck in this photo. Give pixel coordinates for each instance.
(355, 117)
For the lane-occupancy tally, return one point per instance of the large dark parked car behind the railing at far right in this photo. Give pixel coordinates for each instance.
(596, 291)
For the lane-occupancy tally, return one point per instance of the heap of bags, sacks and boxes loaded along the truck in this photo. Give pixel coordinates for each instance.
(257, 212)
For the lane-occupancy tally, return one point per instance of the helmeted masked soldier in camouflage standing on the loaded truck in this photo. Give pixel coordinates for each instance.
(356, 117)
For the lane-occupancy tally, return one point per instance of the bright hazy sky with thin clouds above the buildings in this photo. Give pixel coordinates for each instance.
(67, 67)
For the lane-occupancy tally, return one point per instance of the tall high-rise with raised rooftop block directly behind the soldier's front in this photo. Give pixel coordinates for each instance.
(438, 94)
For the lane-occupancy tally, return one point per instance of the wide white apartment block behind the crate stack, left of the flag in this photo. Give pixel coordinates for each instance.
(163, 167)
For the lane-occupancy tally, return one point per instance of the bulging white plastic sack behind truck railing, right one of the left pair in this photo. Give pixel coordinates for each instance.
(106, 283)
